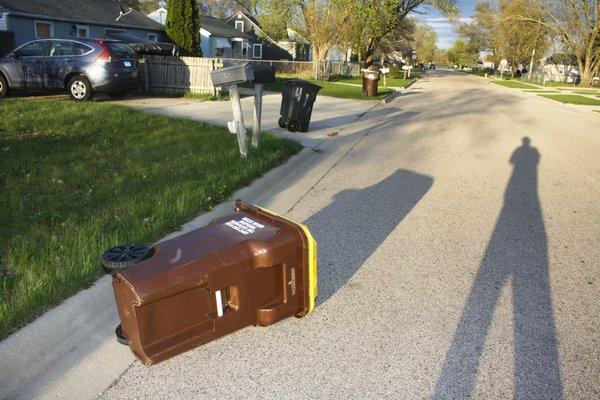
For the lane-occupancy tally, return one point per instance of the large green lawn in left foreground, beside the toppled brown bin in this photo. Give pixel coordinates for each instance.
(78, 178)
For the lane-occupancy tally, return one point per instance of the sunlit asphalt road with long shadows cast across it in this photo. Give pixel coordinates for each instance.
(459, 251)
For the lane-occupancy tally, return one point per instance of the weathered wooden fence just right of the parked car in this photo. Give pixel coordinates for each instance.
(174, 76)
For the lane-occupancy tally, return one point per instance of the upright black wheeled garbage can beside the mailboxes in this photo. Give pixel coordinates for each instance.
(297, 100)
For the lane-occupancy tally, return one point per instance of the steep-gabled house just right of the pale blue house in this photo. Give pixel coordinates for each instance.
(263, 47)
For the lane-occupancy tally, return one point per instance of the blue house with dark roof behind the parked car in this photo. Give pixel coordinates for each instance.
(63, 19)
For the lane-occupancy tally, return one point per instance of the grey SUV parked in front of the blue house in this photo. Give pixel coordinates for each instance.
(82, 67)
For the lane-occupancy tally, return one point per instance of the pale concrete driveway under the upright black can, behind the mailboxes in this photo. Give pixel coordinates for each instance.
(329, 113)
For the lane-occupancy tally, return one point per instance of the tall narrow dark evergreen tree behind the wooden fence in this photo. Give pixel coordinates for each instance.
(183, 26)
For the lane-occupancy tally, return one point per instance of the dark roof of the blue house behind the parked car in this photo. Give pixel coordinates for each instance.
(102, 12)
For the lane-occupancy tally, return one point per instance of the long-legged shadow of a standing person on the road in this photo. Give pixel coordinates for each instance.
(517, 253)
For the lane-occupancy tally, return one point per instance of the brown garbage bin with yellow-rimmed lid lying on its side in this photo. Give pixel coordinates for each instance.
(251, 267)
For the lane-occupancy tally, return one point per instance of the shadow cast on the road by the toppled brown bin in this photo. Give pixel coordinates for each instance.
(356, 222)
